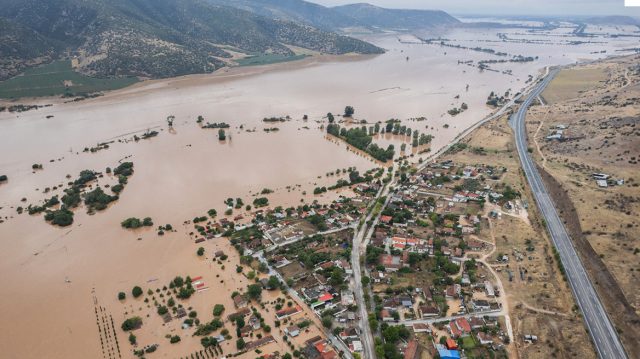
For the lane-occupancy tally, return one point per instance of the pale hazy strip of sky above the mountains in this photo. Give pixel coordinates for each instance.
(507, 7)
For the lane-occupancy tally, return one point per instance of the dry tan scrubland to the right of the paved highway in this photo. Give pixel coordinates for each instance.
(600, 135)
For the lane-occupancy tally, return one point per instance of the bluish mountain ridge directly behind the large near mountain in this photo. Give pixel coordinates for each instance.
(300, 11)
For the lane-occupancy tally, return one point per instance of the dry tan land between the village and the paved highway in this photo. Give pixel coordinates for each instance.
(538, 300)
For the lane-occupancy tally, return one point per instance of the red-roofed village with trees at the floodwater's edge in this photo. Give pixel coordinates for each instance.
(432, 292)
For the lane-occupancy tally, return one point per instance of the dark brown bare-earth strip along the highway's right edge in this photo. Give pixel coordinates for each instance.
(620, 311)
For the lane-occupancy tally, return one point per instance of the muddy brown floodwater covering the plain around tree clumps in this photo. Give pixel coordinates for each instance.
(182, 173)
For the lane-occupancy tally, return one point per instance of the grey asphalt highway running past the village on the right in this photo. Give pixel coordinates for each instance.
(604, 335)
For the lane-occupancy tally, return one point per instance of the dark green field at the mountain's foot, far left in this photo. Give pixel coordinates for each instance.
(49, 80)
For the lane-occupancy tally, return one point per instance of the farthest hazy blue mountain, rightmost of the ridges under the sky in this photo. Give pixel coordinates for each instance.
(396, 19)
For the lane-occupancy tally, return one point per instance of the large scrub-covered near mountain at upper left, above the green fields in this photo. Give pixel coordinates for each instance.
(150, 38)
